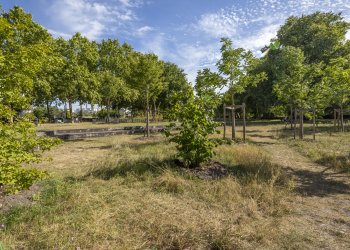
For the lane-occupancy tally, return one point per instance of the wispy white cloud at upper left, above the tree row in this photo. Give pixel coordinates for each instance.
(91, 18)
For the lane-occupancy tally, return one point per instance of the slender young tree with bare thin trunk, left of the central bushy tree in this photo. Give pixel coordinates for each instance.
(148, 78)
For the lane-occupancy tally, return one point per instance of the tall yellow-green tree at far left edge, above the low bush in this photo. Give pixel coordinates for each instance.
(24, 49)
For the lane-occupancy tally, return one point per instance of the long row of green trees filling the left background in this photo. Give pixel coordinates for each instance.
(38, 70)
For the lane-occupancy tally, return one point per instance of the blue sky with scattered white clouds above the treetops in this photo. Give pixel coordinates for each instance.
(185, 32)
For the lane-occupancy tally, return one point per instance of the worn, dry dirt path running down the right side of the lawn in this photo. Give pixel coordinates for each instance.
(320, 216)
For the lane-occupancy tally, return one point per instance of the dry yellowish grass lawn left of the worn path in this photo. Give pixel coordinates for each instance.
(124, 192)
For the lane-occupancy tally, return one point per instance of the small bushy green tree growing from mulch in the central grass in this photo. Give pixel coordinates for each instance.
(197, 120)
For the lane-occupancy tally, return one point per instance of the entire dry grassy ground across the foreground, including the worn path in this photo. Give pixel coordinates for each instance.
(124, 192)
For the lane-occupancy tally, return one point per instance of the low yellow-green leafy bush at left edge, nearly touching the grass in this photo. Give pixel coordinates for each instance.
(20, 145)
